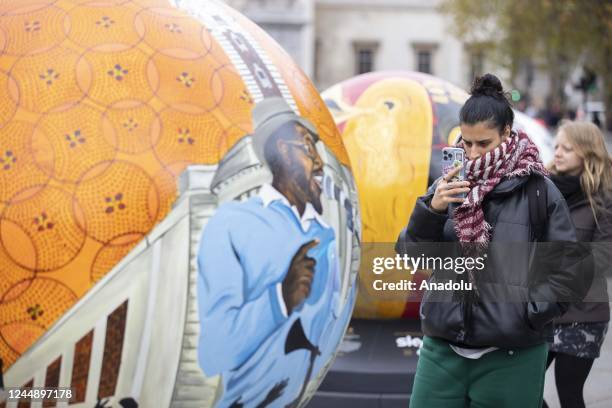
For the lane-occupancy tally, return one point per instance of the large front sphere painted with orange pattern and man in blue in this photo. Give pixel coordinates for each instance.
(232, 289)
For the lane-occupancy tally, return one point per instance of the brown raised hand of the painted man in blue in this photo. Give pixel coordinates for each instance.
(297, 283)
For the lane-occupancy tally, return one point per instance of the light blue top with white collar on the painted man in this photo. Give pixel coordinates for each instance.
(244, 255)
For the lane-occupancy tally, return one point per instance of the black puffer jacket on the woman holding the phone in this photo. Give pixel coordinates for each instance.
(516, 303)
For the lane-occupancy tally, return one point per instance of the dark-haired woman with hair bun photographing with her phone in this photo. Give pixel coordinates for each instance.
(480, 348)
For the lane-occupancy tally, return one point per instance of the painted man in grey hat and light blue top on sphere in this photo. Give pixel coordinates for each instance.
(269, 278)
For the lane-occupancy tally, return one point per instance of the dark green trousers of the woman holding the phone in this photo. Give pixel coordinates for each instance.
(499, 379)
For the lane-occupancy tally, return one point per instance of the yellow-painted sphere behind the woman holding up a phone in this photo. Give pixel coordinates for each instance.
(394, 125)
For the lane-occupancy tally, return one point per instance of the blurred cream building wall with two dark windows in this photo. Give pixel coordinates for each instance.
(357, 36)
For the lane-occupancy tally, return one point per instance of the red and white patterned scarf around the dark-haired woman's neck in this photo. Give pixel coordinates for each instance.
(516, 156)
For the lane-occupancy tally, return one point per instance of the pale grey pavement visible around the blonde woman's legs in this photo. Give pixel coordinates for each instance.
(598, 388)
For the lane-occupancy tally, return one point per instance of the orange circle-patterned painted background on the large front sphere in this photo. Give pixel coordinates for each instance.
(102, 105)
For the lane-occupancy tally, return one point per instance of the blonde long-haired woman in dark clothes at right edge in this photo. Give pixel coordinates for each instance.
(582, 171)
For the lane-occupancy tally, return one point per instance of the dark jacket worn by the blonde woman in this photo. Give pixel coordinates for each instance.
(595, 307)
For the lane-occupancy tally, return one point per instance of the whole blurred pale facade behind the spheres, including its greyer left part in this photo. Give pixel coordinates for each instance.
(333, 40)
